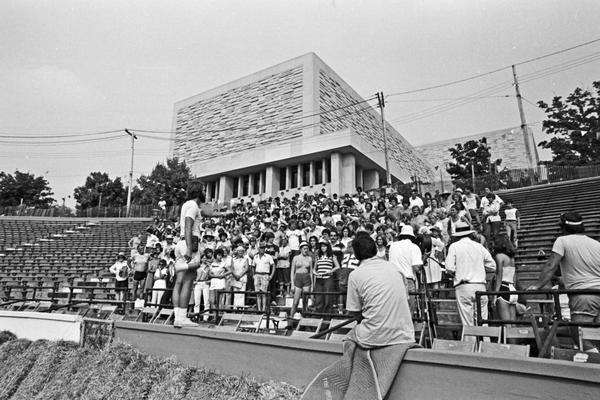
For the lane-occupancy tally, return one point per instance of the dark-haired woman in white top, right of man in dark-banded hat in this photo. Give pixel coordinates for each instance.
(506, 303)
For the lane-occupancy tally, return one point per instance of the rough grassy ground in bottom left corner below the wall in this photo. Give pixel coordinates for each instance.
(63, 370)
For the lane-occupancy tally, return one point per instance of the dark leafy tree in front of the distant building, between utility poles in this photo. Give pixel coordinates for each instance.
(476, 153)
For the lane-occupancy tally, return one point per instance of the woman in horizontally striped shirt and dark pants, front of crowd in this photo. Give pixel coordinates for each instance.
(325, 266)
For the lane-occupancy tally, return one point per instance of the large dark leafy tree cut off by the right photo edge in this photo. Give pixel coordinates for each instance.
(574, 124)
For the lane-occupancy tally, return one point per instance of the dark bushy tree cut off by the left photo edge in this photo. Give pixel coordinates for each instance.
(24, 187)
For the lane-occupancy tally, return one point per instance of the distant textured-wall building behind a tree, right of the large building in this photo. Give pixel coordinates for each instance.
(516, 149)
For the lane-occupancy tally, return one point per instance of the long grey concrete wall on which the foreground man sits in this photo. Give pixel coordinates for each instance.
(424, 374)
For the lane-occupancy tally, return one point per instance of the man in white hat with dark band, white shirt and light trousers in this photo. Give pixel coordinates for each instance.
(468, 261)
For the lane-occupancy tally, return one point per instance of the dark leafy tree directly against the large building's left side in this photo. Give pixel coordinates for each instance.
(167, 181)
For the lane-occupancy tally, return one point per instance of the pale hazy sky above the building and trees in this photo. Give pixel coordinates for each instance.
(82, 67)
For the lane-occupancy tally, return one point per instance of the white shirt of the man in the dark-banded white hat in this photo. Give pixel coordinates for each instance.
(469, 261)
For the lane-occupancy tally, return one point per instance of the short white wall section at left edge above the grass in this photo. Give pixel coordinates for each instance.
(35, 325)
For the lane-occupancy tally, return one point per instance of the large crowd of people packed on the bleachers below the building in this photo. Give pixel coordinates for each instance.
(289, 246)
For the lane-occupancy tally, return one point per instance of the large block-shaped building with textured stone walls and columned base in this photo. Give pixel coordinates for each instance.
(293, 127)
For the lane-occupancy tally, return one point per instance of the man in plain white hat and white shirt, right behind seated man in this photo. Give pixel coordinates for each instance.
(407, 257)
